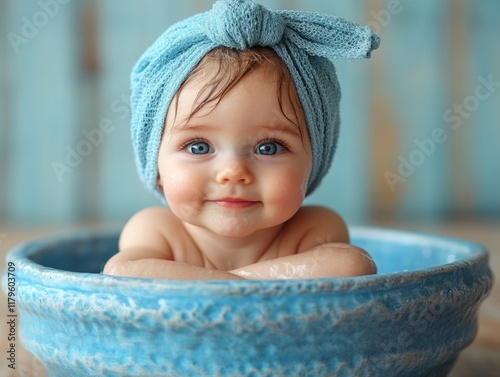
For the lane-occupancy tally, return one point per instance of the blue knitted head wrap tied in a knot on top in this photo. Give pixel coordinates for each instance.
(305, 41)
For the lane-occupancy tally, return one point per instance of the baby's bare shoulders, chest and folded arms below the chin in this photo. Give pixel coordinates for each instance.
(293, 251)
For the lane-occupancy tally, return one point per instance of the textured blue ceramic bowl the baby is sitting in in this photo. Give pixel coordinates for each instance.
(412, 319)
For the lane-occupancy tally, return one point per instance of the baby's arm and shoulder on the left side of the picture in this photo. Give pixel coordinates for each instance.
(145, 252)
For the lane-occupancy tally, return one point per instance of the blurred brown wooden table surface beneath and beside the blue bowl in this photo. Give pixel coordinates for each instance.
(481, 359)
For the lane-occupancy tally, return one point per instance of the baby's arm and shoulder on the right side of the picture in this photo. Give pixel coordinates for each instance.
(323, 251)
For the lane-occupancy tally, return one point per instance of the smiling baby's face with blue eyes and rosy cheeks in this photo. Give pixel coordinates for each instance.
(236, 167)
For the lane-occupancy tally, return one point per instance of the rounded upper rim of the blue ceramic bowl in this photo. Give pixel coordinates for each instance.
(474, 254)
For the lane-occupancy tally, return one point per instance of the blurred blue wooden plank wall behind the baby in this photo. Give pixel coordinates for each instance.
(420, 135)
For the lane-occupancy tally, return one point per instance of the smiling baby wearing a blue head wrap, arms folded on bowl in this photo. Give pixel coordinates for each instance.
(234, 121)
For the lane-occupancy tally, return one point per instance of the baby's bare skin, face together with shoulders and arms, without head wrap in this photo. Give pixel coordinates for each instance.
(235, 177)
